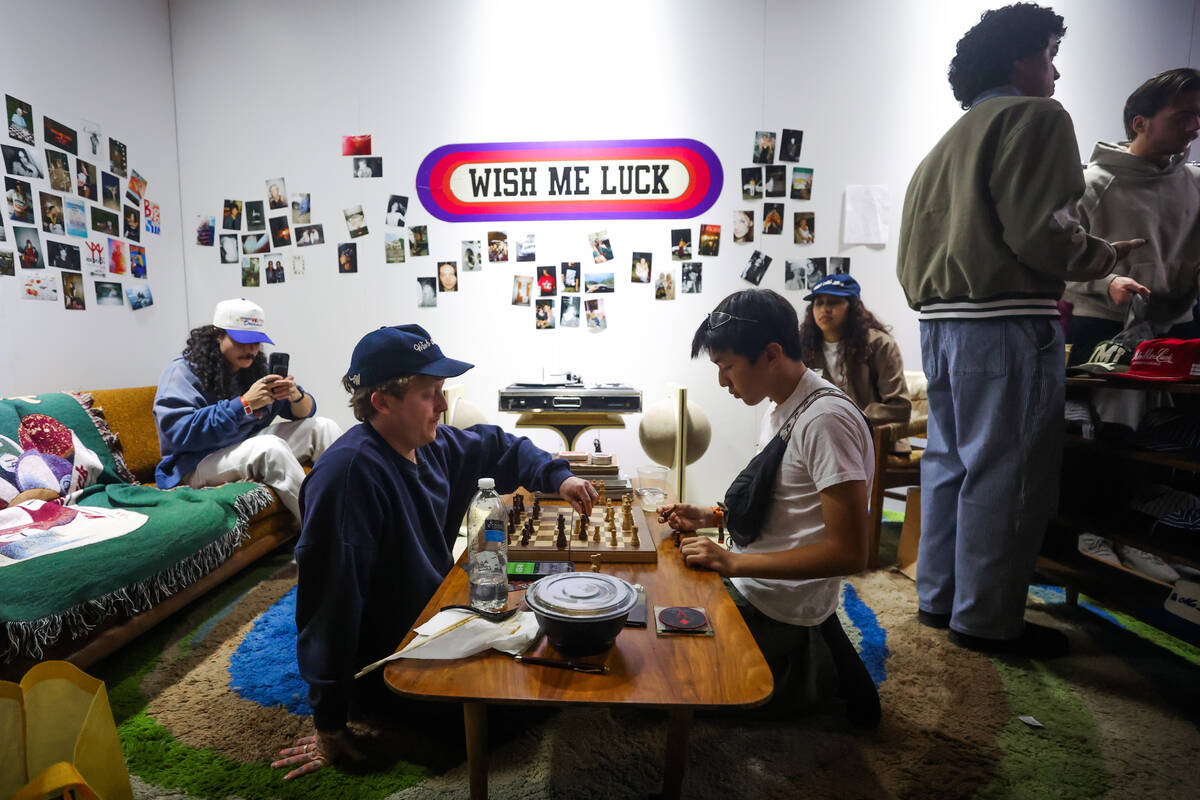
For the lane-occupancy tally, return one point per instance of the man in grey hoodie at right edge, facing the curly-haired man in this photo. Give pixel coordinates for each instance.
(1144, 188)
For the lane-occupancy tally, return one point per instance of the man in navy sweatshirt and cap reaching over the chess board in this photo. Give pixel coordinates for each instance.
(381, 513)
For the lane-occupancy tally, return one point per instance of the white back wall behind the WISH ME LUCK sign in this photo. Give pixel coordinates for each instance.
(268, 89)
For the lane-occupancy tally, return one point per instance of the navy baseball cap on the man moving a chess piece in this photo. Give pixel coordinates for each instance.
(400, 351)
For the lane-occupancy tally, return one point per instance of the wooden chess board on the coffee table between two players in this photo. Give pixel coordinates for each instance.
(542, 545)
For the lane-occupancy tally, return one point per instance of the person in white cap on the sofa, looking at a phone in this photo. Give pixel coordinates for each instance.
(218, 411)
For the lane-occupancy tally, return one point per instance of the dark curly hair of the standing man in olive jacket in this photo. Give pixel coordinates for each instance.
(985, 57)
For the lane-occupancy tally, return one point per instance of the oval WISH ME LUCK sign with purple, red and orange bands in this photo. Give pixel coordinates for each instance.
(621, 179)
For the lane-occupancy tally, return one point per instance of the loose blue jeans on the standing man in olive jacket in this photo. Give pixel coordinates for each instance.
(989, 476)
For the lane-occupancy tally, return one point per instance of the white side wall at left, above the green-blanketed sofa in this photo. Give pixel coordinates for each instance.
(110, 63)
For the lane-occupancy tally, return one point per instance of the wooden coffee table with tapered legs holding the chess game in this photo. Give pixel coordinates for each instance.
(679, 673)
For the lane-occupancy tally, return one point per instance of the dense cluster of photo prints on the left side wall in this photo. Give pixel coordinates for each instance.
(67, 218)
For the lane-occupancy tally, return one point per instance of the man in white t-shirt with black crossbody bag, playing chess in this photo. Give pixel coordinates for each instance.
(788, 580)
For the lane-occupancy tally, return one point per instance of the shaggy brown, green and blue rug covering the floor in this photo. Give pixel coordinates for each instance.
(207, 701)
